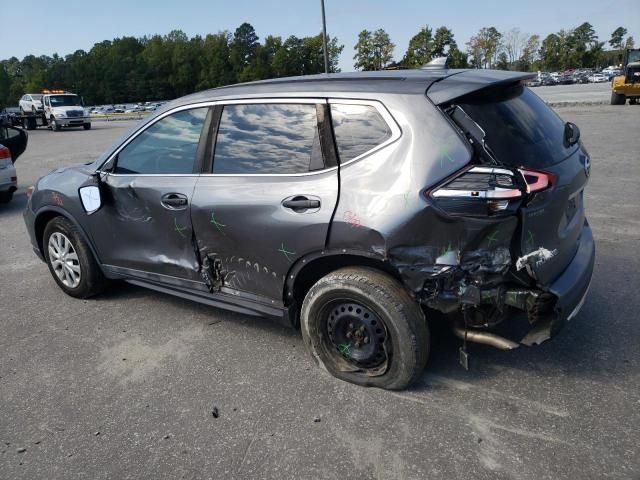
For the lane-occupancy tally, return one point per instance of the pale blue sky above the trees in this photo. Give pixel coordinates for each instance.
(36, 27)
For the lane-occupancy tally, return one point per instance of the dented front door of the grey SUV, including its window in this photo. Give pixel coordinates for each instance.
(145, 222)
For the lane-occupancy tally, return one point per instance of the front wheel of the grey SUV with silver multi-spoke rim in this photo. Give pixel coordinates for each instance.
(90, 279)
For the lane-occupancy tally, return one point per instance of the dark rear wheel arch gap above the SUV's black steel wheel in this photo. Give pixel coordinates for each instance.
(313, 266)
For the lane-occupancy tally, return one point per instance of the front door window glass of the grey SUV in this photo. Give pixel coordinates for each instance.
(167, 147)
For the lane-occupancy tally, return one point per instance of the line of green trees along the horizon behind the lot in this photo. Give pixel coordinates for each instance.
(163, 67)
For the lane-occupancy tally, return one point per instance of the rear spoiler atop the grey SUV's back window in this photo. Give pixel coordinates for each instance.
(468, 81)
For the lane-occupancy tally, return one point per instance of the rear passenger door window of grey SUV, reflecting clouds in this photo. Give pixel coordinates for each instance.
(267, 139)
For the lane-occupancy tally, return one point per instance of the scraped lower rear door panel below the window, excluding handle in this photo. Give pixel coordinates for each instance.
(245, 233)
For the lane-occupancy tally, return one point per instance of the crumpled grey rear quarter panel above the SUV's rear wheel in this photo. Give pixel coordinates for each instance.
(383, 207)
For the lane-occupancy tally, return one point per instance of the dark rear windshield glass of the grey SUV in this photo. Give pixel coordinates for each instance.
(520, 128)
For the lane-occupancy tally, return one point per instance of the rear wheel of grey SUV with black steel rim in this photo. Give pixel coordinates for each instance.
(371, 304)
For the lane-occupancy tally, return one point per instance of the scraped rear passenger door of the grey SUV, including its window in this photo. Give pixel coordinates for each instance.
(270, 195)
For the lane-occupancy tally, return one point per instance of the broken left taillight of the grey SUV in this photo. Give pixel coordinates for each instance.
(479, 191)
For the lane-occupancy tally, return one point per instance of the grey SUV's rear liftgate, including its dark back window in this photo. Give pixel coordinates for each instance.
(523, 132)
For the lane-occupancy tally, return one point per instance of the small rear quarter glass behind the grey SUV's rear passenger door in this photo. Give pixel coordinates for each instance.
(358, 129)
